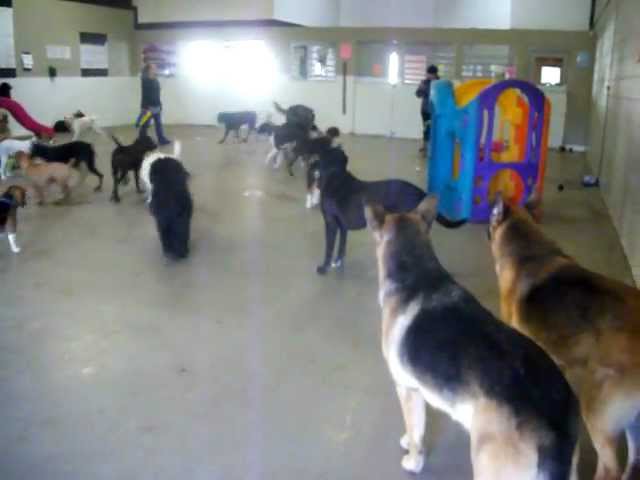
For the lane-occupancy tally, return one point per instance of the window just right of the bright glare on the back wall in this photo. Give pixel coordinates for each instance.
(313, 61)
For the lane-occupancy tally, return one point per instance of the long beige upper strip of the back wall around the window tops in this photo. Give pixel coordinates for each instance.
(522, 43)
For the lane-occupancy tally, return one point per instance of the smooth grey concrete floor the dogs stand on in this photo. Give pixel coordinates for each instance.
(239, 363)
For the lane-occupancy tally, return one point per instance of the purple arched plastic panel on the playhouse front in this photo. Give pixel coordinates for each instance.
(486, 168)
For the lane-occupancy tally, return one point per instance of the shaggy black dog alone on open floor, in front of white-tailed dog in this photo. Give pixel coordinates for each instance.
(171, 205)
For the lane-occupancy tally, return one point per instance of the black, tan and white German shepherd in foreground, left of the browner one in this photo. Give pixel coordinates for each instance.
(444, 348)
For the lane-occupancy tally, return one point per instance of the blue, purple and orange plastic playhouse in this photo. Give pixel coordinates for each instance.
(486, 138)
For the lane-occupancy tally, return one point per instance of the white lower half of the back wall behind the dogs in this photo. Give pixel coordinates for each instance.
(373, 108)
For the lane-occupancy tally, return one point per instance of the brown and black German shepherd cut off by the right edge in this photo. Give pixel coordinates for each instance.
(588, 323)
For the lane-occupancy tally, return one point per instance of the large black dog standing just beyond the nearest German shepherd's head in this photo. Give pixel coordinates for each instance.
(343, 197)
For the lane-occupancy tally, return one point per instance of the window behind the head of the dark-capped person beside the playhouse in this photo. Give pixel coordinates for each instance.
(417, 58)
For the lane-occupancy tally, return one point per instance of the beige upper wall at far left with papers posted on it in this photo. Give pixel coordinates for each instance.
(38, 23)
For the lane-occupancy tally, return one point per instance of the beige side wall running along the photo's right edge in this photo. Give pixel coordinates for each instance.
(615, 121)
